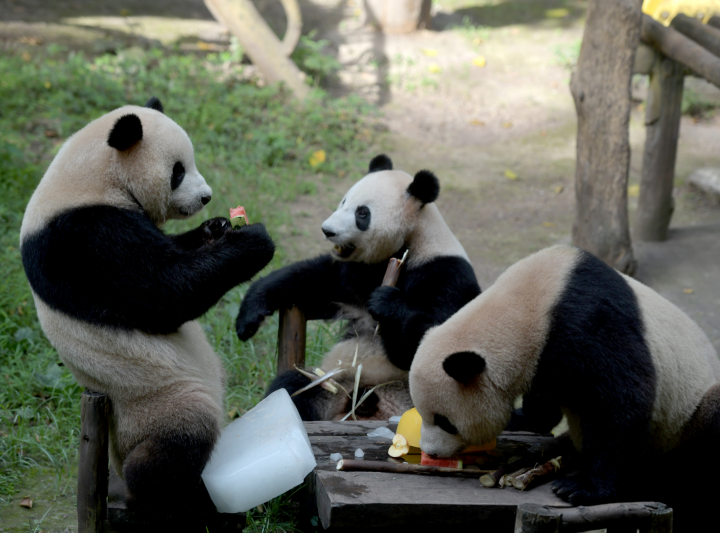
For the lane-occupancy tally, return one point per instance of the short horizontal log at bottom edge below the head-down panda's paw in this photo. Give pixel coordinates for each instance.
(617, 517)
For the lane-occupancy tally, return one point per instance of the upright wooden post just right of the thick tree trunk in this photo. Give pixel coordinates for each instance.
(662, 121)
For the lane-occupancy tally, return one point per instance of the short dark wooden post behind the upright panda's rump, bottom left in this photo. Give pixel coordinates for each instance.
(93, 467)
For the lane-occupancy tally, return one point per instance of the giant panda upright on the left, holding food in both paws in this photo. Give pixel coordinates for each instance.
(118, 298)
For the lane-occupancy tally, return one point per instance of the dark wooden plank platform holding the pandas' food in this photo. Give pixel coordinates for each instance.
(355, 501)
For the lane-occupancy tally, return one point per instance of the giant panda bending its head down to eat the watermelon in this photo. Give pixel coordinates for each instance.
(573, 336)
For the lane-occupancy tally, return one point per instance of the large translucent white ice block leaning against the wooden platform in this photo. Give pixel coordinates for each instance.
(259, 456)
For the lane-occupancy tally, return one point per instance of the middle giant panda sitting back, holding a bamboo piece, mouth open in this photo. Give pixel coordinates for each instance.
(385, 214)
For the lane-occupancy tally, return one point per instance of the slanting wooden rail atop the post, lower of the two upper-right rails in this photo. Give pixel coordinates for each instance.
(676, 46)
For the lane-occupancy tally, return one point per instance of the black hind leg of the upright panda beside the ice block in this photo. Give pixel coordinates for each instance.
(162, 475)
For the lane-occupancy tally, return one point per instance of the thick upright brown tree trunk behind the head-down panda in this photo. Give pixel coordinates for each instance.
(600, 86)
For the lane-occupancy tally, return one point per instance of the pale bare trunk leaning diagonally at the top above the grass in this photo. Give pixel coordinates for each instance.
(260, 43)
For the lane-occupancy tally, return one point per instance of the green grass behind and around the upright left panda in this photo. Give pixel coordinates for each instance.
(253, 145)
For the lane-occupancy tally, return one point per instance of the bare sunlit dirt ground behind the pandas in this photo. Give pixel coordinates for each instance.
(501, 137)
